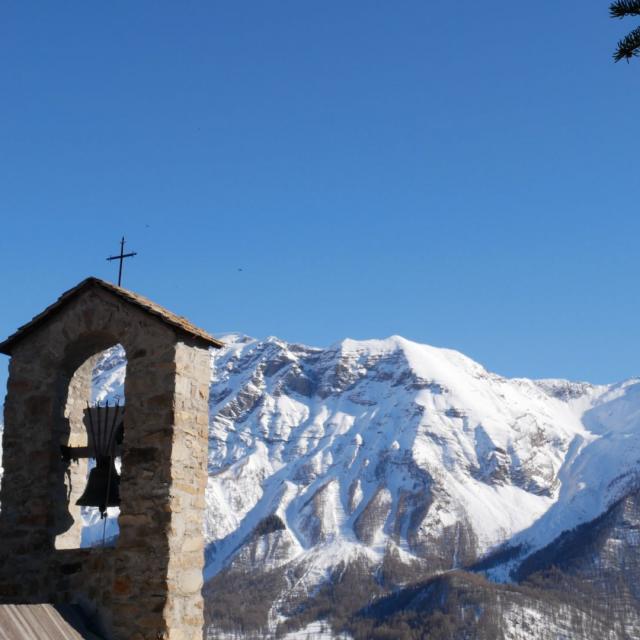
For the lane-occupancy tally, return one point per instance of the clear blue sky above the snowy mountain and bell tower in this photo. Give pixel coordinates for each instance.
(463, 174)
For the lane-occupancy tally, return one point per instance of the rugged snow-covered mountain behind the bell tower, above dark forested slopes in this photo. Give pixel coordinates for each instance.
(398, 458)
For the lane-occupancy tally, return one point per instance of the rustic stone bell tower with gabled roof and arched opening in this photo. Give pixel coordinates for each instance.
(148, 585)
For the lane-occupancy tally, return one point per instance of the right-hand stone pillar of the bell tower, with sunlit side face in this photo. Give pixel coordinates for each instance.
(160, 551)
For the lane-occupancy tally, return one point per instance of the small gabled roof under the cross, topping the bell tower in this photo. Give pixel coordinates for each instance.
(178, 322)
